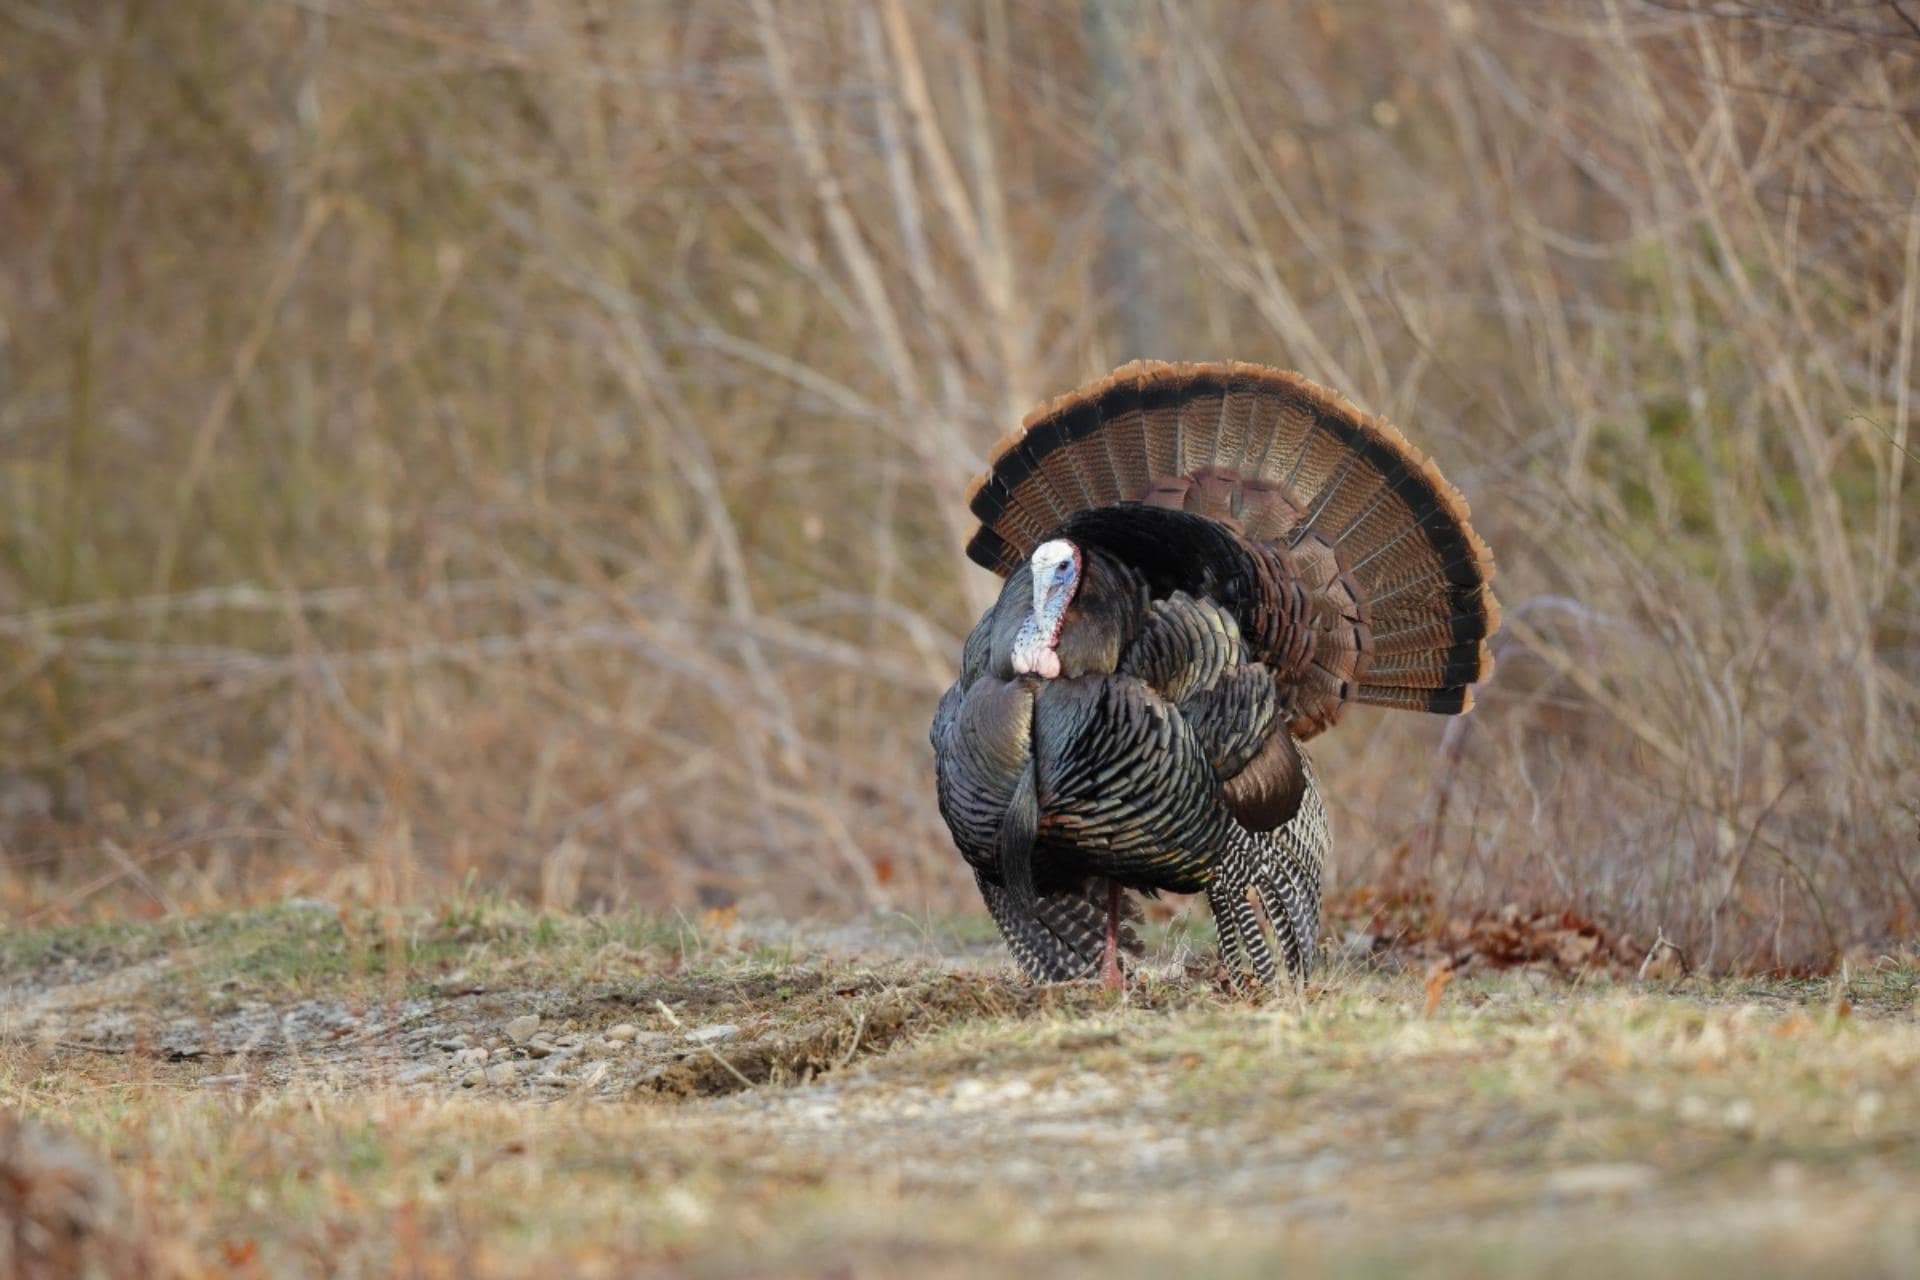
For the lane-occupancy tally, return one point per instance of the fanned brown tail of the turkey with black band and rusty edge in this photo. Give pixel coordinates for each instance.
(1404, 600)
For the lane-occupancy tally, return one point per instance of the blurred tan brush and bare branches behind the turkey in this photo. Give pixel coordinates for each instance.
(523, 444)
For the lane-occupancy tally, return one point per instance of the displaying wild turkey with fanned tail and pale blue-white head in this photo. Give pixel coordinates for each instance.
(1205, 565)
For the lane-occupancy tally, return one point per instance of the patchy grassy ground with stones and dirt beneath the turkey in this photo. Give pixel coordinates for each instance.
(304, 1091)
